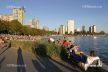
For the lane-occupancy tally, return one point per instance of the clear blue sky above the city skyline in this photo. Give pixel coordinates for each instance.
(53, 13)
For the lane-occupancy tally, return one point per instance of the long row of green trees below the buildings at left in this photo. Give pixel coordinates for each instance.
(15, 27)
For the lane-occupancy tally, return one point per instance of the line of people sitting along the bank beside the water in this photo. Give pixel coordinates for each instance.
(74, 51)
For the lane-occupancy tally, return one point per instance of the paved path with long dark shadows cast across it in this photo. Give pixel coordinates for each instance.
(17, 60)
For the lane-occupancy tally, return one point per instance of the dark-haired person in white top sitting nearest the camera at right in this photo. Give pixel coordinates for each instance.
(90, 59)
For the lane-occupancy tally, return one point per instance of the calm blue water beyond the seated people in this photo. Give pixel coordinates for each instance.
(88, 43)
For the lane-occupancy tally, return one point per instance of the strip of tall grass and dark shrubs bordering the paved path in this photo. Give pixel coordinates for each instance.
(41, 48)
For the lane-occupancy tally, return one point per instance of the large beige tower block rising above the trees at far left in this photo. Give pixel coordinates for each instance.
(18, 14)
